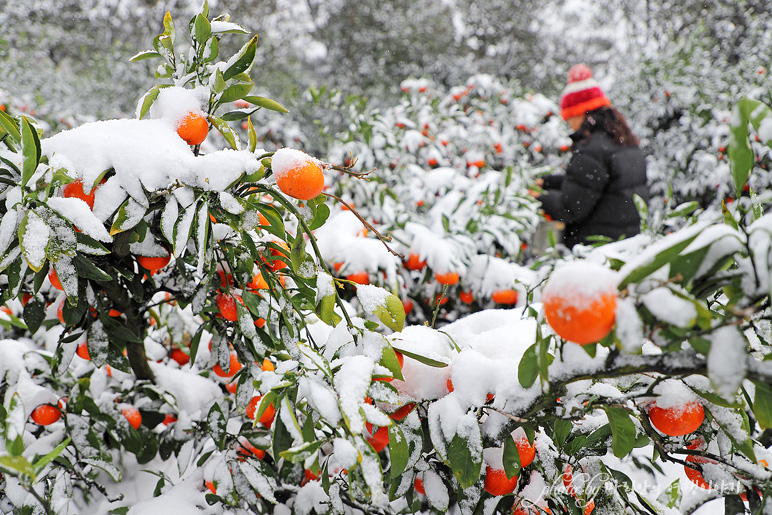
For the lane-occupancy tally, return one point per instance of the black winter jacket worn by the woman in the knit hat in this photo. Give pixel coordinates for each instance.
(595, 196)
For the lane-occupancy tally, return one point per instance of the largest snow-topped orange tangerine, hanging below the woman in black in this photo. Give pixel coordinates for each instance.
(580, 302)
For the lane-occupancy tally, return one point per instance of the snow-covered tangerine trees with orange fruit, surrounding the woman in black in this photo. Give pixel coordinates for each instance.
(194, 323)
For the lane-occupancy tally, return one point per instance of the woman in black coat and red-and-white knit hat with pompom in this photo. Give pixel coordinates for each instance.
(607, 168)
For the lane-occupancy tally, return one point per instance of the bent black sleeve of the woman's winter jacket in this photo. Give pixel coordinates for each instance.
(586, 178)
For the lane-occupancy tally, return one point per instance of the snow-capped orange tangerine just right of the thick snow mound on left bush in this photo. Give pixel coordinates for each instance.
(297, 174)
